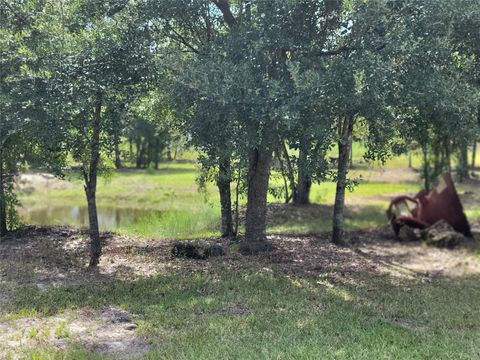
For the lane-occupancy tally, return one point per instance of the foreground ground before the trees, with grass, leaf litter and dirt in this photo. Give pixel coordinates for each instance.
(305, 300)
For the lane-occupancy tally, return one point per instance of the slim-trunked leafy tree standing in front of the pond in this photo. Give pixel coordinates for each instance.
(102, 50)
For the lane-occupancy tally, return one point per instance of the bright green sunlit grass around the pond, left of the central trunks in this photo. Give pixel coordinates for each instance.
(172, 191)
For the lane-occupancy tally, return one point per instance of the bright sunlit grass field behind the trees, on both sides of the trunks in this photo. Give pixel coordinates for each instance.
(186, 213)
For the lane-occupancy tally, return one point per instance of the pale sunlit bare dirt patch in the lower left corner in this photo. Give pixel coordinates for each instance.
(107, 331)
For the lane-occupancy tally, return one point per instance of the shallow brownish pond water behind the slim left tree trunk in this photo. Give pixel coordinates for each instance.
(109, 218)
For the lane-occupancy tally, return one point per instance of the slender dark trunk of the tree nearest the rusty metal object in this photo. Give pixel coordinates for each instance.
(346, 131)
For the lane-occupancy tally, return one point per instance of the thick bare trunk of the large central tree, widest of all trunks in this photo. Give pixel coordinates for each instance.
(256, 227)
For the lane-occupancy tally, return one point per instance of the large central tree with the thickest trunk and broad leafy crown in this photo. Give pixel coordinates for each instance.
(243, 68)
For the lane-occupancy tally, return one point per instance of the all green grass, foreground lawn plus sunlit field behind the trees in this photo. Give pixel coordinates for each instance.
(220, 310)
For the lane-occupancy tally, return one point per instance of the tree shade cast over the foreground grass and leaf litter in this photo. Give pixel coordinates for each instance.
(304, 299)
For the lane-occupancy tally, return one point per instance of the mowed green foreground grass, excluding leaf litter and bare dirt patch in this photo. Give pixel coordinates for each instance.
(261, 314)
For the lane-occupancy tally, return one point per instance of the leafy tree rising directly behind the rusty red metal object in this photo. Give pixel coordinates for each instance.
(437, 99)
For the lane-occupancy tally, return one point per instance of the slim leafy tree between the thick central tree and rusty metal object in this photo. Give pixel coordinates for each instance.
(354, 83)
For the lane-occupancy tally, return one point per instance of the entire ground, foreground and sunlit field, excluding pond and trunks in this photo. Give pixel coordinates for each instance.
(305, 299)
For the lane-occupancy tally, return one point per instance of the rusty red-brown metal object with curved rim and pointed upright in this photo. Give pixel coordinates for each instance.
(426, 208)
